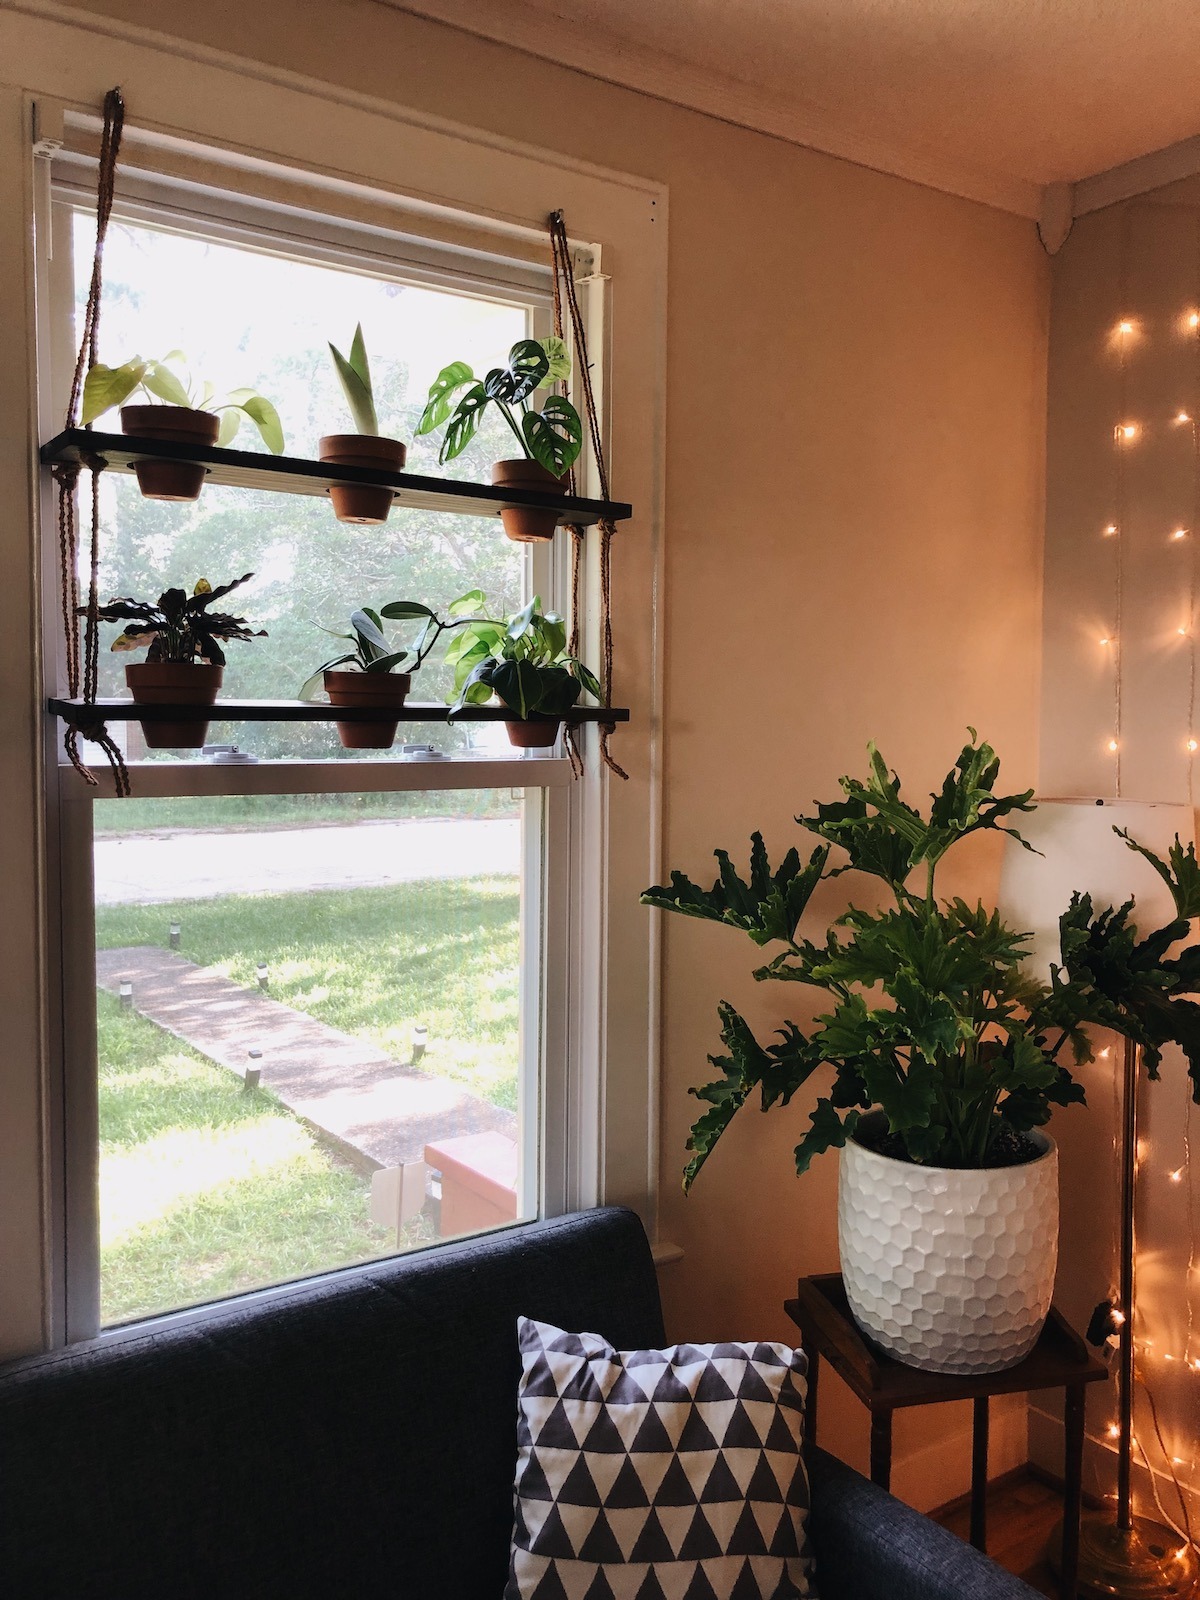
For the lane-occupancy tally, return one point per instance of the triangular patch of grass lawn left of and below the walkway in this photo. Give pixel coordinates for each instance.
(209, 1188)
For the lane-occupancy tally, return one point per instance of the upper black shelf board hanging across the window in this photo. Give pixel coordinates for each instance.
(295, 476)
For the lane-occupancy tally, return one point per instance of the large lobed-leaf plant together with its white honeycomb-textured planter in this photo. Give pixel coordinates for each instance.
(946, 1057)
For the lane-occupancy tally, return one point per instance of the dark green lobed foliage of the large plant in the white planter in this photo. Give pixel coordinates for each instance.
(935, 1018)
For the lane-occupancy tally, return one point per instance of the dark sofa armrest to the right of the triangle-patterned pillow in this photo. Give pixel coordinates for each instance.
(870, 1546)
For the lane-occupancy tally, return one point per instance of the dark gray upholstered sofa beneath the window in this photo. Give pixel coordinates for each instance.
(356, 1438)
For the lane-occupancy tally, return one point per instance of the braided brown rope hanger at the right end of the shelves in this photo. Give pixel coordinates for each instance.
(566, 294)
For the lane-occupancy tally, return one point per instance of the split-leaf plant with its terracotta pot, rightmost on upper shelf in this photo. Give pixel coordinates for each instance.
(550, 439)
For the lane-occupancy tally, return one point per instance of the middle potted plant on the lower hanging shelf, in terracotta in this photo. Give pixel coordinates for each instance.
(366, 674)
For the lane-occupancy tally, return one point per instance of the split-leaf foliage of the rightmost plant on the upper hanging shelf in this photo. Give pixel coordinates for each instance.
(458, 399)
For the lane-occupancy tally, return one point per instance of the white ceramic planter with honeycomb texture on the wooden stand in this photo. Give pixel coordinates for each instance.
(951, 1271)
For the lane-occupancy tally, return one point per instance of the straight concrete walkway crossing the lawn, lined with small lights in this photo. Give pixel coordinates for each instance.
(374, 1110)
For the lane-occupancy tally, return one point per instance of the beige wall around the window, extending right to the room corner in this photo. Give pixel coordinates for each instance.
(855, 412)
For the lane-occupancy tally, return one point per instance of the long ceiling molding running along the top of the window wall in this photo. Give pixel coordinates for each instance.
(663, 78)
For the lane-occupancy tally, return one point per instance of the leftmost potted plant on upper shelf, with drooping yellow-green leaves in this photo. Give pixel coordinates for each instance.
(182, 415)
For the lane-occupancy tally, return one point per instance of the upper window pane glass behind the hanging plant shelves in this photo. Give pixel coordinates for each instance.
(249, 319)
